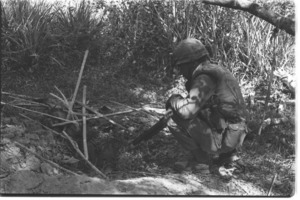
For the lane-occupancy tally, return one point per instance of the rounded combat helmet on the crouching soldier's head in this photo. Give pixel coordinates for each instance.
(189, 50)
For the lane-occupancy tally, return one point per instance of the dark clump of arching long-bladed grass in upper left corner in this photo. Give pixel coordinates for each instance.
(38, 36)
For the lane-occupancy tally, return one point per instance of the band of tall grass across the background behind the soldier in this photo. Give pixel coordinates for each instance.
(142, 35)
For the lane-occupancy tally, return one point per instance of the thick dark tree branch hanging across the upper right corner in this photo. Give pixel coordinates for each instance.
(269, 16)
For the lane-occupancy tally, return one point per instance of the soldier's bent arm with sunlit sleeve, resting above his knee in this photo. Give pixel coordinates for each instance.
(202, 89)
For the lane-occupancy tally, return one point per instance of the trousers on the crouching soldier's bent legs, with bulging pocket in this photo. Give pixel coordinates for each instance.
(195, 135)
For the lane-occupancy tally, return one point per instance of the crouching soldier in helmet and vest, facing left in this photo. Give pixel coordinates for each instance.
(210, 121)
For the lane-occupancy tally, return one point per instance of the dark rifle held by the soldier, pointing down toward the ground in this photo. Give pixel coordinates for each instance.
(155, 129)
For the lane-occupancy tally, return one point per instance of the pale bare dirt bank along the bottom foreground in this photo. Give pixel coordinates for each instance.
(27, 171)
